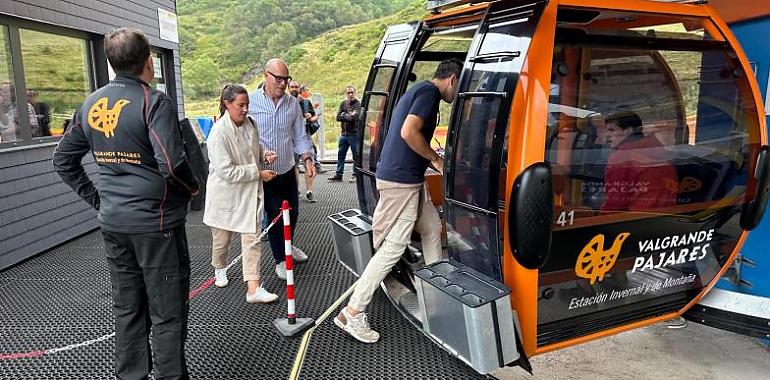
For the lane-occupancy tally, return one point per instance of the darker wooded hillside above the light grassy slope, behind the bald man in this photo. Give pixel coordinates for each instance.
(223, 40)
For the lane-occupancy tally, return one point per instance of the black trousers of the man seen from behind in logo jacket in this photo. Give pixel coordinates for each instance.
(150, 275)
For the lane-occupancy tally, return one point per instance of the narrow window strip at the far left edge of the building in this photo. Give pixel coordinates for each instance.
(9, 123)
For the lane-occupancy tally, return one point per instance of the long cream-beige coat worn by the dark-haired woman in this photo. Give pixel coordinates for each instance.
(234, 194)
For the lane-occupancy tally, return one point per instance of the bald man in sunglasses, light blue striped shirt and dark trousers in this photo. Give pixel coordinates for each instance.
(281, 127)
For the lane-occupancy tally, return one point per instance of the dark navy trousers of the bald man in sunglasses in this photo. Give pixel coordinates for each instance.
(282, 187)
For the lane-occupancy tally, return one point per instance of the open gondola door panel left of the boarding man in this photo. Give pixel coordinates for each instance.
(376, 105)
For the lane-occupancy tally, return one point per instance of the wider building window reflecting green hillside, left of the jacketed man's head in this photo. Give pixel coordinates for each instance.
(57, 77)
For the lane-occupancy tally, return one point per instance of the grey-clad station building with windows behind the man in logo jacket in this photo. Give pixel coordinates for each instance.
(51, 57)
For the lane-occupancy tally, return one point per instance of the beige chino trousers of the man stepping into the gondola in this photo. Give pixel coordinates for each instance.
(401, 208)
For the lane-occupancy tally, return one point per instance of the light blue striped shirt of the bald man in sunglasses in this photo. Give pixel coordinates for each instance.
(281, 128)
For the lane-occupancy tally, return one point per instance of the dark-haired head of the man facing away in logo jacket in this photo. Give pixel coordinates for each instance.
(127, 49)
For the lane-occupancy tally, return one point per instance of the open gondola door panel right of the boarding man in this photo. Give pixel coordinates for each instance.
(477, 141)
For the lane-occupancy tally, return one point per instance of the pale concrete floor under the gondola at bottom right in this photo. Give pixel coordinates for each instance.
(654, 353)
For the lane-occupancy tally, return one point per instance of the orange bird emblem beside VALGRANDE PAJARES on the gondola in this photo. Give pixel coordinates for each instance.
(594, 262)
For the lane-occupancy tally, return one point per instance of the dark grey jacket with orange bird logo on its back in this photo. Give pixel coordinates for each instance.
(145, 180)
